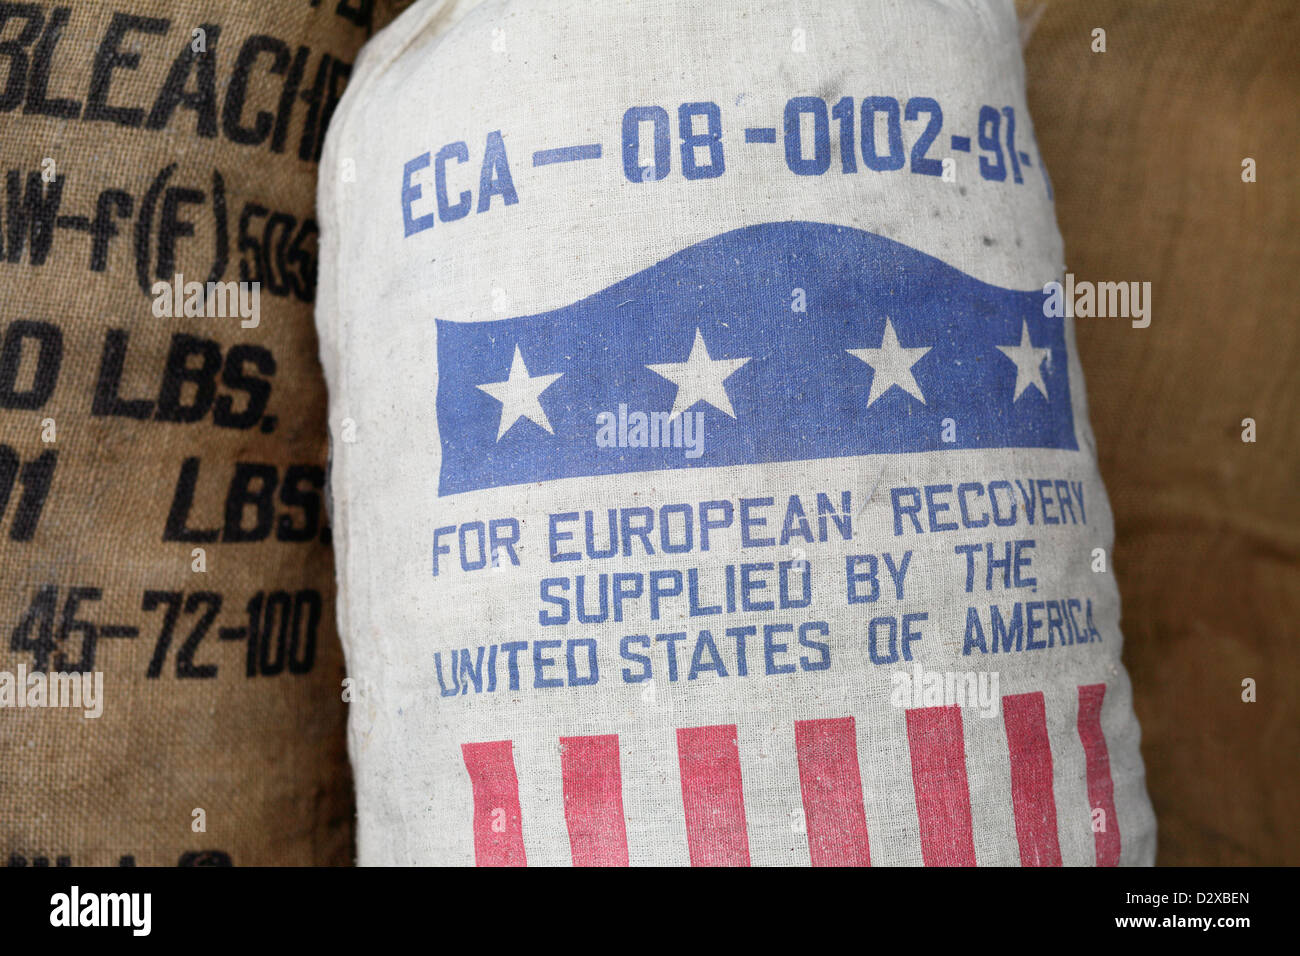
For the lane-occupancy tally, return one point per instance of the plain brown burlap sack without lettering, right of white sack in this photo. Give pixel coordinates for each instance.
(1146, 144)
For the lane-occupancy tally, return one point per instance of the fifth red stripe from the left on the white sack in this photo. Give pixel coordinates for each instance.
(943, 794)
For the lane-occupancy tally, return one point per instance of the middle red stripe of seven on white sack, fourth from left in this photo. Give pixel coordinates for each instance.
(833, 793)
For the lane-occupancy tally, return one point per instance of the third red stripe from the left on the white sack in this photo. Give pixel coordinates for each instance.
(713, 797)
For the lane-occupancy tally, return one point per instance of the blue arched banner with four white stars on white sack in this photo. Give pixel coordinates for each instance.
(892, 344)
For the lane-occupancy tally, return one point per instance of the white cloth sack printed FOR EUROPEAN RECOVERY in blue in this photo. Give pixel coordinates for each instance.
(713, 475)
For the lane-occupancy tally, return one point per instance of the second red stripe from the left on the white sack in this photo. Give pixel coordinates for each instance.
(593, 801)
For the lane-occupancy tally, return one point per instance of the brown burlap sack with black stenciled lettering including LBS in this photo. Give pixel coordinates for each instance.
(141, 142)
